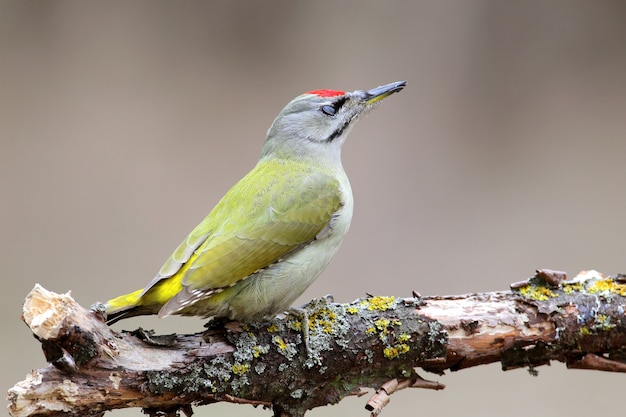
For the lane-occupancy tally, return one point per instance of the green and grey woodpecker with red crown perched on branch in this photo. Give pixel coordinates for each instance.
(274, 231)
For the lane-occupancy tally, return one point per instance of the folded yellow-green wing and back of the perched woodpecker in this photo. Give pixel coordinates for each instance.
(275, 209)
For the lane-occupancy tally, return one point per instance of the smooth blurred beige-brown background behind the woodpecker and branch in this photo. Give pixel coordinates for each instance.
(123, 123)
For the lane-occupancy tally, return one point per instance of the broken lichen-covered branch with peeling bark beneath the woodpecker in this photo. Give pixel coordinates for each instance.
(375, 342)
